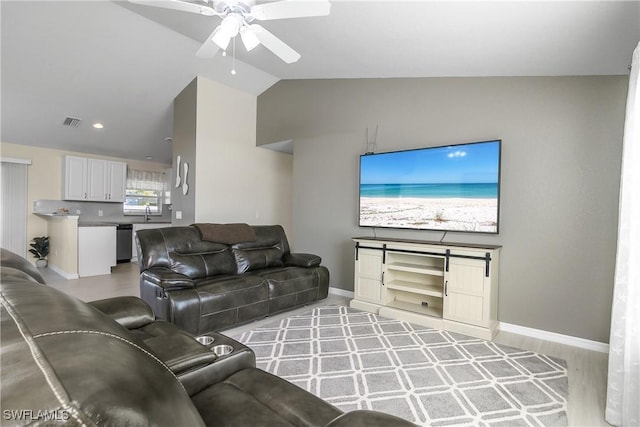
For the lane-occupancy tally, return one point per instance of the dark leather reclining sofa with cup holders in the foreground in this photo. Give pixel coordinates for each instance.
(110, 363)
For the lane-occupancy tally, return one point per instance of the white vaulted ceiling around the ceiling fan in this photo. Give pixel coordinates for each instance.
(122, 64)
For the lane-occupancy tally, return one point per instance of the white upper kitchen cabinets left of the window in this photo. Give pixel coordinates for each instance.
(94, 179)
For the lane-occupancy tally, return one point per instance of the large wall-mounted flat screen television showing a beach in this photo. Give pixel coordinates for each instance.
(447, 188)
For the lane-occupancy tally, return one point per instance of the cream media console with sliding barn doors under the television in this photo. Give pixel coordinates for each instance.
(446, 286)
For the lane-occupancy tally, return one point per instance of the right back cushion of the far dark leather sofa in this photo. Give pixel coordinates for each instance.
(266, 251)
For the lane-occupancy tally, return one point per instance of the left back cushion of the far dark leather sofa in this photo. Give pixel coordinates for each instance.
(182, 250)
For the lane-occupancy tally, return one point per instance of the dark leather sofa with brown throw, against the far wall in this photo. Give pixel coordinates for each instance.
(207, 277)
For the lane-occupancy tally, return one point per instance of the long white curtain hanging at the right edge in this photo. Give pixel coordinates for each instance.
(623, 386)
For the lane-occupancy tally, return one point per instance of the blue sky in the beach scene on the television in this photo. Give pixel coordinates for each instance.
(465, 163)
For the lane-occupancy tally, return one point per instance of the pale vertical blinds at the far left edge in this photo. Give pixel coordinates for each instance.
(14, 205)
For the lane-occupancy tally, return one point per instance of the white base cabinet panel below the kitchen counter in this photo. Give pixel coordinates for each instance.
(96, 250)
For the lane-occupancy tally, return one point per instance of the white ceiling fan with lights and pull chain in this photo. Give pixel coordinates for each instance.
(237, 17)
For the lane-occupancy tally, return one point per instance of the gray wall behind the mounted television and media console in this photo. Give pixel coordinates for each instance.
(561, 154)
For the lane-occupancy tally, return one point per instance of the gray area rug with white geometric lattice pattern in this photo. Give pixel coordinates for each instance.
(359, 360)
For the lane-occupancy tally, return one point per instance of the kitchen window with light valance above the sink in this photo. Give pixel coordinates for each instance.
(144, 193)
